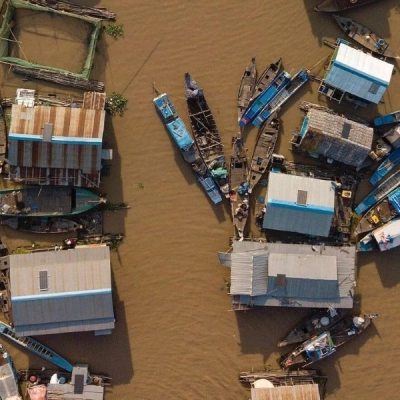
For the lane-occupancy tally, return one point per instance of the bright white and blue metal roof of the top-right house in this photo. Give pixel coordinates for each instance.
(360, 74)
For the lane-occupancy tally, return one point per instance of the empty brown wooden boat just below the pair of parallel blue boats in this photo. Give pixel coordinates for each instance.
(263, 150)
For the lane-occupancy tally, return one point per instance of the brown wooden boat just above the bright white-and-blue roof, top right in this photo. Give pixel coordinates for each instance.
(365, 37)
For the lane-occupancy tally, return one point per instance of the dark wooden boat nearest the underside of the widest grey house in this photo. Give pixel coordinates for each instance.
(319, 321)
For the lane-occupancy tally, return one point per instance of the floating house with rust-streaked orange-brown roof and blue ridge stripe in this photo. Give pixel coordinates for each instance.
(52, 145)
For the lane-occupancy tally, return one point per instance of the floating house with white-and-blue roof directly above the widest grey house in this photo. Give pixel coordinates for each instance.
(299, 204)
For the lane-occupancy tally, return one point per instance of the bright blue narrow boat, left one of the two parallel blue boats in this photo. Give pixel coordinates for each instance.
(279, 83)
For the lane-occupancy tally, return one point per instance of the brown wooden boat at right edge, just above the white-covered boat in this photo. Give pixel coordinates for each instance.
(378, 215)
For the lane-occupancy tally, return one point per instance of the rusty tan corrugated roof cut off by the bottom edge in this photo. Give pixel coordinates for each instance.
(295, 392)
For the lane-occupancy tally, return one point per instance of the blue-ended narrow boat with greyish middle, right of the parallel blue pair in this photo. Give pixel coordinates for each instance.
(294, 85)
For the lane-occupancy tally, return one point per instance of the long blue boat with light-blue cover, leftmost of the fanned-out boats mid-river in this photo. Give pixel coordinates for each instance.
(186, 145)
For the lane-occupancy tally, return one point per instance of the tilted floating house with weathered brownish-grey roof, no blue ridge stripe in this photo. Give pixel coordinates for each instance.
(334, 137)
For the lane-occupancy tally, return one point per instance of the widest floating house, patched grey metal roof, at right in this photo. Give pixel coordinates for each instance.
(290, 275)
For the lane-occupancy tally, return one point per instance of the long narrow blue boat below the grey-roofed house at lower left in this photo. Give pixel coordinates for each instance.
(35, 347)
